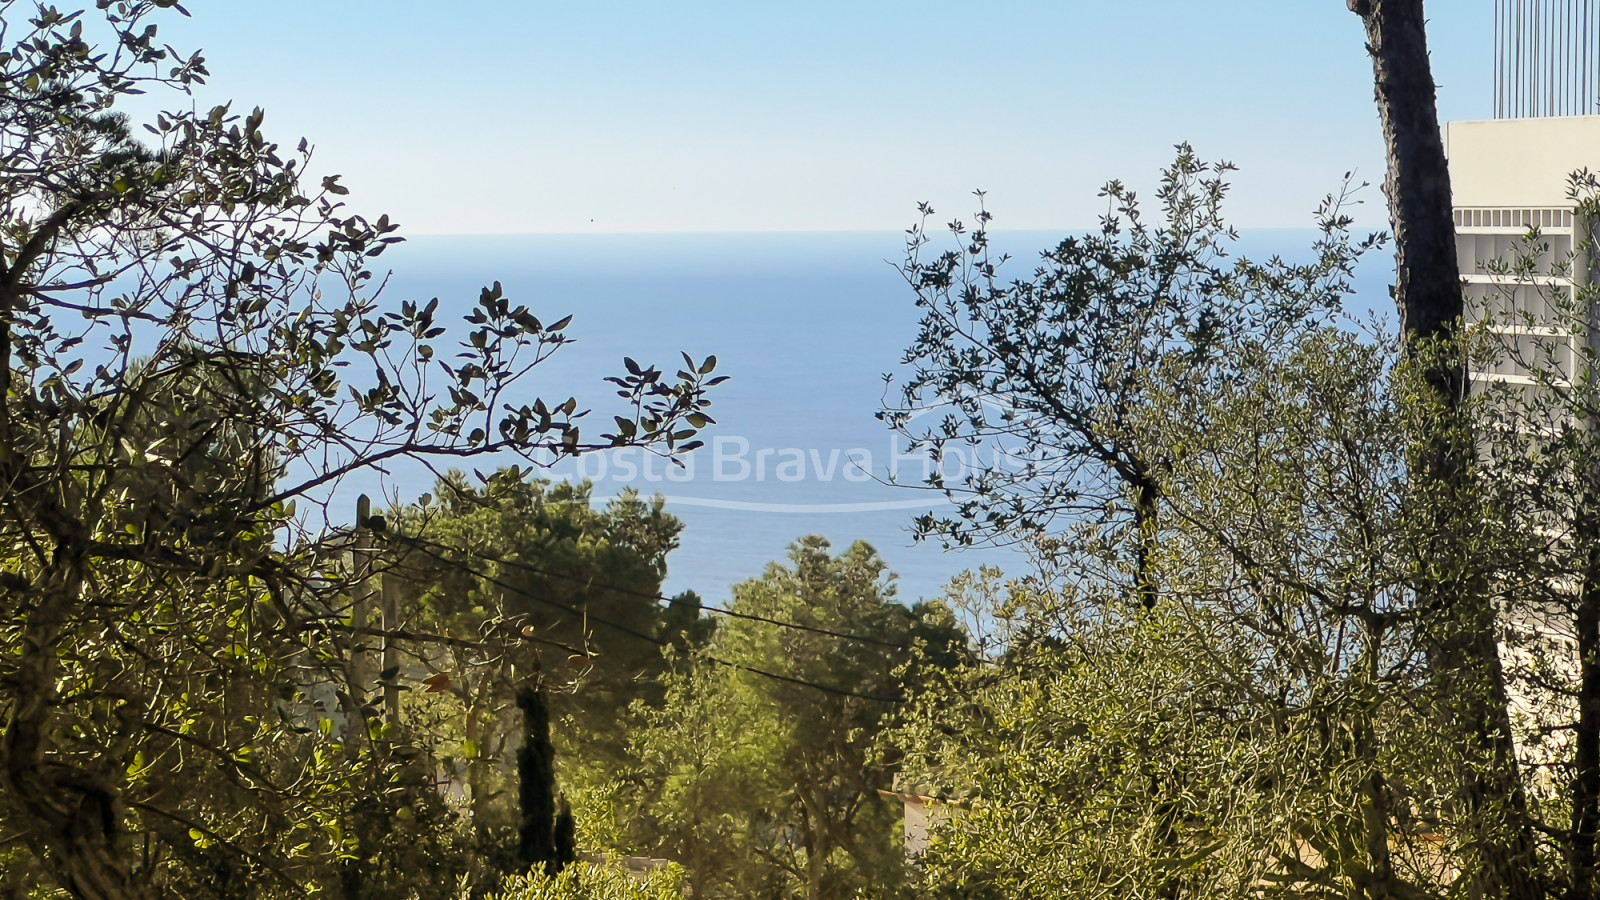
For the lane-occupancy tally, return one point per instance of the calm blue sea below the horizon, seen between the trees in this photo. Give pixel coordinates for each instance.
(806, 324)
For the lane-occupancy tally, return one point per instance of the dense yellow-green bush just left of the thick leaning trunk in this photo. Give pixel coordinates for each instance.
(1270, 726)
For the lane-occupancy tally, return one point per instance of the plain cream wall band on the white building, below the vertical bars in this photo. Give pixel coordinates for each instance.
(1519, 163)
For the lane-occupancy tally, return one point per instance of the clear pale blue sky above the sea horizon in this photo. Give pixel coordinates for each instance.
(609, 116)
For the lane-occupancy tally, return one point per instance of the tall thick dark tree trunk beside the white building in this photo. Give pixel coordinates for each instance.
(1430, 297)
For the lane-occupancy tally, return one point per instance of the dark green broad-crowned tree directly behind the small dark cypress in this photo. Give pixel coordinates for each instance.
(548, 592)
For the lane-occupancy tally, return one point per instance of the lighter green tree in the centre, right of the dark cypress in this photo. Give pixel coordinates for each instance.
(761, 771)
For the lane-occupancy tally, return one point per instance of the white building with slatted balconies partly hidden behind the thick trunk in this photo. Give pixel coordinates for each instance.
(1513, 175)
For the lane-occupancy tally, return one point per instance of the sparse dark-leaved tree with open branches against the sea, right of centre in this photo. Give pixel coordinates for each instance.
(1047, 374)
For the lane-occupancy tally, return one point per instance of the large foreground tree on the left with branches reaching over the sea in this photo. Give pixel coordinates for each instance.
(194, 352)
